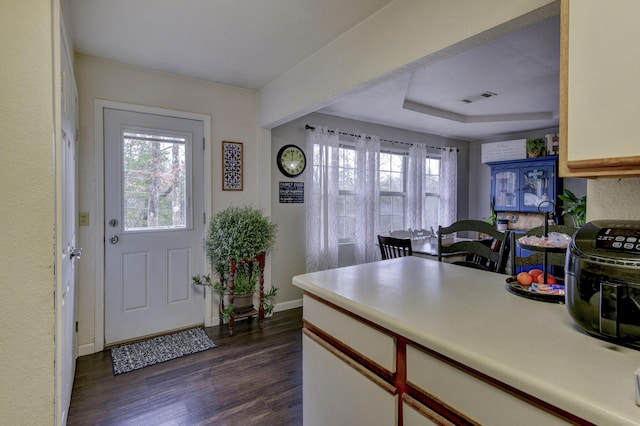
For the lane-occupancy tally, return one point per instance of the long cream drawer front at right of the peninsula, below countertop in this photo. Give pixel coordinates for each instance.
(471, 396)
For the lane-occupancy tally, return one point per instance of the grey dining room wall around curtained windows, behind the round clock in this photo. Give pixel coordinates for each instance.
(289, 252)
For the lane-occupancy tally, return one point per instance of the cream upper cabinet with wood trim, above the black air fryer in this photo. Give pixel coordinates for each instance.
(599, 88)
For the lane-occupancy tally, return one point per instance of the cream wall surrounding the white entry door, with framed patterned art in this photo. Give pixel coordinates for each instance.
(233, 114)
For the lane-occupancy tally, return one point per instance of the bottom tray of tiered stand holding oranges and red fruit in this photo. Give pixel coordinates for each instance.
(535, 284)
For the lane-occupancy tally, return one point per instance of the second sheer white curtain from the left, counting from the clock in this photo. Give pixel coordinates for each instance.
(367, 198)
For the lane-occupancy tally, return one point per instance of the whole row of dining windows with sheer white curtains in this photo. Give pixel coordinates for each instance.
(377, 191)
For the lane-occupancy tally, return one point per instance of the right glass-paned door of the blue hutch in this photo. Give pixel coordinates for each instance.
(538, 187)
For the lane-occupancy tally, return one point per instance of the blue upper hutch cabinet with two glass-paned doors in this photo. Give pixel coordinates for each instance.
(522, 185)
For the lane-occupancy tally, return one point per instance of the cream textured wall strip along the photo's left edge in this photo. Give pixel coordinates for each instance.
(27, 281)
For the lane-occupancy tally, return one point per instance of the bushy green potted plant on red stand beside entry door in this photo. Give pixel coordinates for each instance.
(238, 233)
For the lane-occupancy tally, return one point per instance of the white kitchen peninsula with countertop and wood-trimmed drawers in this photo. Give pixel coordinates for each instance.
(467, 351)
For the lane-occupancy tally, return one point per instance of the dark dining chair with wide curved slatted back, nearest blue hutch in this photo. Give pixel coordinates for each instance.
(489, 254)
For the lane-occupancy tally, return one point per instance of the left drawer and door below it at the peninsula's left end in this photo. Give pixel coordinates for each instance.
(340, 354)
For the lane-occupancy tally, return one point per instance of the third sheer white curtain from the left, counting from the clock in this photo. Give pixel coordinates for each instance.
(416, 186)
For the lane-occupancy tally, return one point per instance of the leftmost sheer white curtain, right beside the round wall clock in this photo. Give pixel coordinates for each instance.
(322, 199)
